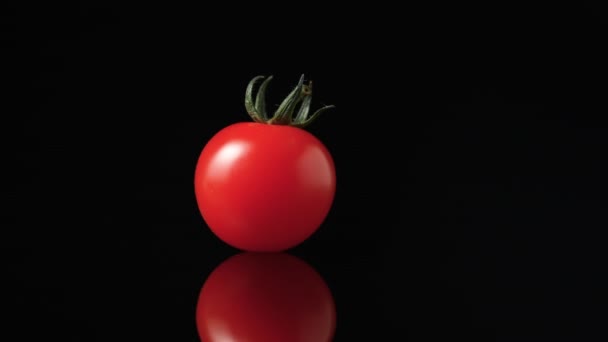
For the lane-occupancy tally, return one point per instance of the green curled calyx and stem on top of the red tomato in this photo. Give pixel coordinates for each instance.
(300, 98)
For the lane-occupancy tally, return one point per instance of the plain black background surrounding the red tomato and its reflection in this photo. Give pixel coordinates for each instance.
(469, 150)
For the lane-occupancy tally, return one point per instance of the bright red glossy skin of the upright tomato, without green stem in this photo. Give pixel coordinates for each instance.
(264, 188)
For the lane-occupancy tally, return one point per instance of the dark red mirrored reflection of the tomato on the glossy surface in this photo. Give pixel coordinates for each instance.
(265, 297)
